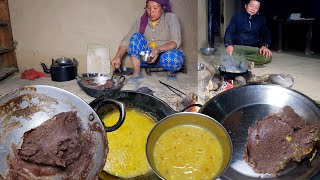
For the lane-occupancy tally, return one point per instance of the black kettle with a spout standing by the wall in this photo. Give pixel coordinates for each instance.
(62, 69)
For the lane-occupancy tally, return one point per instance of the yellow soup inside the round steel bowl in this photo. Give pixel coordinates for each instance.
(188, 152)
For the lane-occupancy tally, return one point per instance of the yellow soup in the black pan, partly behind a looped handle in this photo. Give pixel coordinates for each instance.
(127, 157)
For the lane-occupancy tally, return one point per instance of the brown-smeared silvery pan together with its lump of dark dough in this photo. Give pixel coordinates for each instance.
(49, 133)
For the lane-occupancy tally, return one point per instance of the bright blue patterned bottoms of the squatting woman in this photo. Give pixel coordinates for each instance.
(171, 60)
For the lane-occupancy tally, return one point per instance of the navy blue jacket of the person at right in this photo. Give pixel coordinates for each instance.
(247, 30)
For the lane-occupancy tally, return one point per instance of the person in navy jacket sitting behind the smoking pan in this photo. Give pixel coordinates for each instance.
(248, 35)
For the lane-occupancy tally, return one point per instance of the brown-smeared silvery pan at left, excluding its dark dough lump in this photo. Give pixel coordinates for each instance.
(25, 108)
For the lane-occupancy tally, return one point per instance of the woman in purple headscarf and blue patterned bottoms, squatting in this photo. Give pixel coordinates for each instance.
(158, 30)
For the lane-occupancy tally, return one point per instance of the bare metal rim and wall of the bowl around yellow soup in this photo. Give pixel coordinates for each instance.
(194, 119)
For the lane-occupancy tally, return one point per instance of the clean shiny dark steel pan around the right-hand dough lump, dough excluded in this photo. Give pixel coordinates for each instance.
(239, 108)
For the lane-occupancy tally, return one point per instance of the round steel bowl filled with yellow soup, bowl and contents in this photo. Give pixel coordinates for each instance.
(185, 145)
